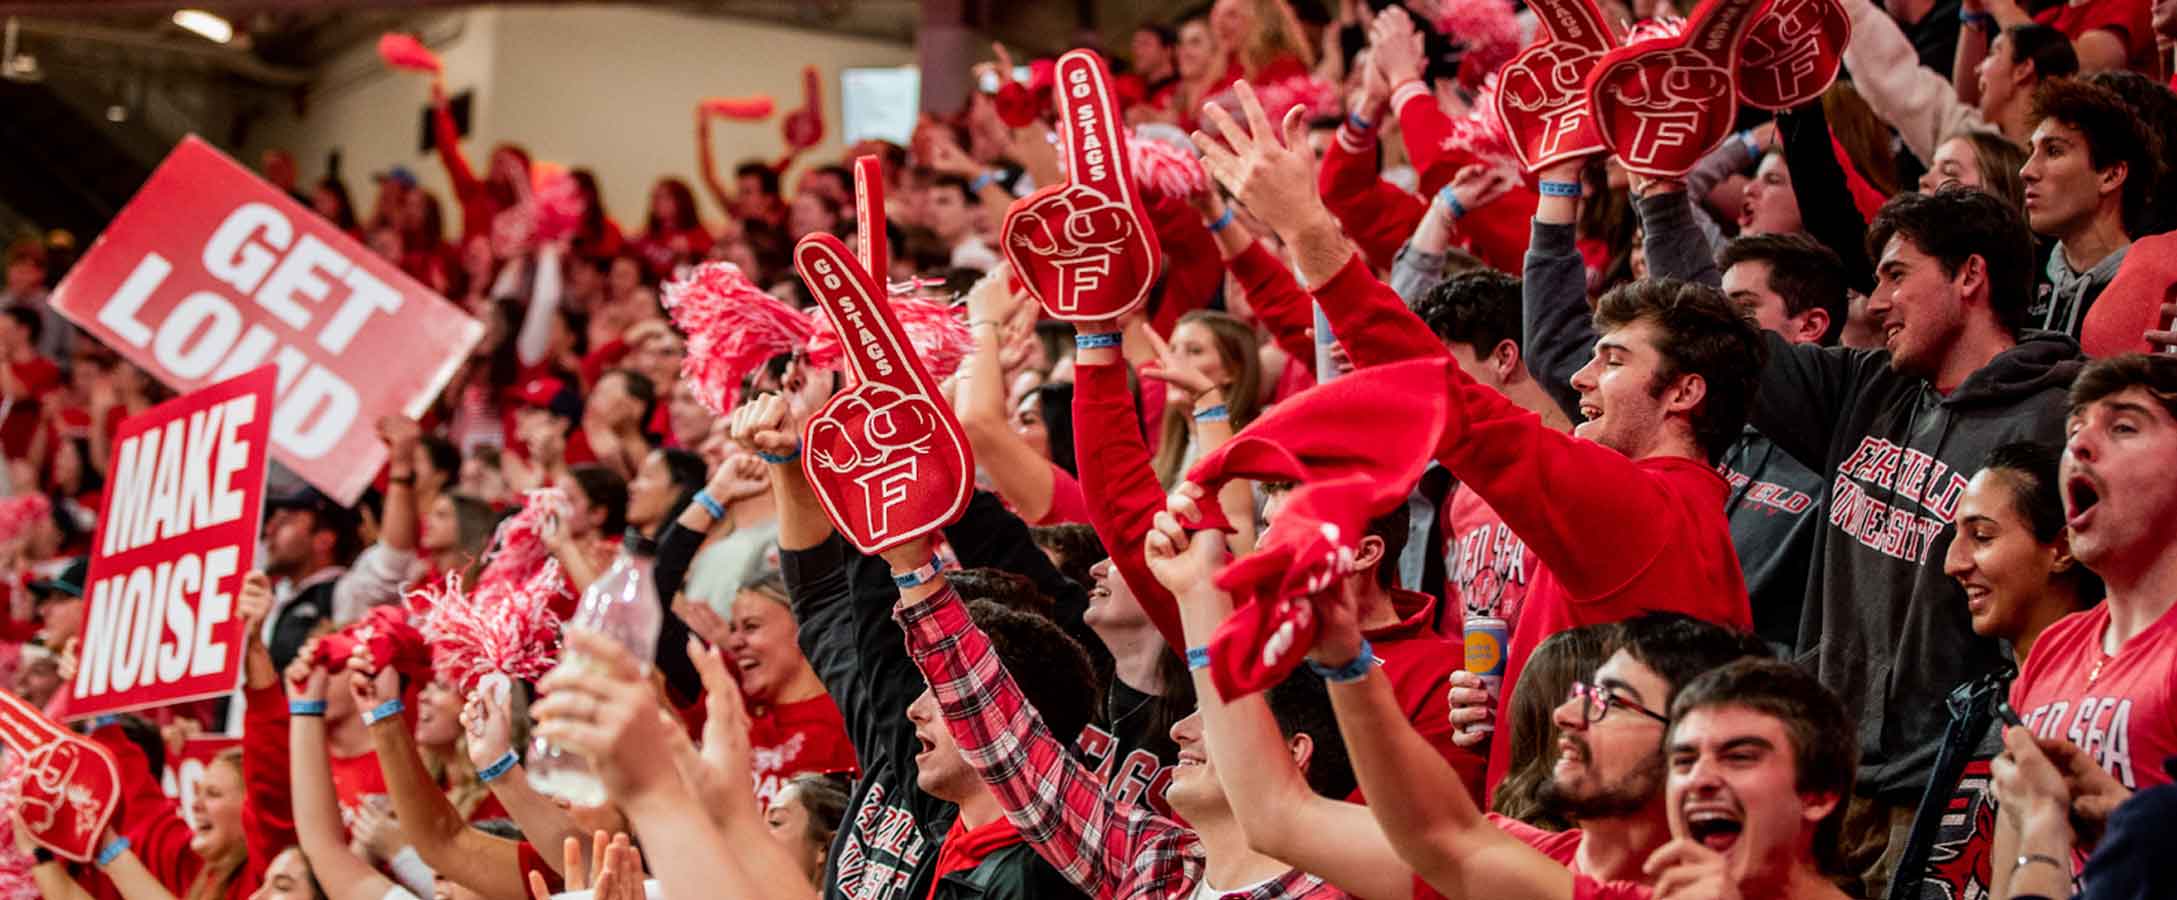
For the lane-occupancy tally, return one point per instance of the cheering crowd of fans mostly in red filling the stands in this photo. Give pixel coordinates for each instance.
(1795, 528)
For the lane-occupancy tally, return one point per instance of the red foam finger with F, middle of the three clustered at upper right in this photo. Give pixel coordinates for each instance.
(1664, 104)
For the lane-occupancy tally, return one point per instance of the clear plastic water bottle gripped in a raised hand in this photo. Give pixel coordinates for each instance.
(622, 605)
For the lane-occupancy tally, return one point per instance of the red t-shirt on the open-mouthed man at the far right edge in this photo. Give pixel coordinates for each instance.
(2119, 709)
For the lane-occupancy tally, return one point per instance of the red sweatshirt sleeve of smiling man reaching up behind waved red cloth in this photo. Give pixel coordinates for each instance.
(1510, 459)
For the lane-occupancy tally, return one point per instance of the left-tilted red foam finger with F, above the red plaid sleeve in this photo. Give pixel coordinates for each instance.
(887, 459)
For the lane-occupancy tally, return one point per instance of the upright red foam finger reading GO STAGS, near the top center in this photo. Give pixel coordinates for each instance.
(1085, 247)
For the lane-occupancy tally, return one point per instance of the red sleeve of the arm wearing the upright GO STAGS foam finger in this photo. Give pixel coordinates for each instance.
(1120, 485)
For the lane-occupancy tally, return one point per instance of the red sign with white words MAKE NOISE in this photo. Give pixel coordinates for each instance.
(177, 533)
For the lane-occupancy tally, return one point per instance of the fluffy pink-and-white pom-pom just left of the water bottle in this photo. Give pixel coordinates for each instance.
(495, 629)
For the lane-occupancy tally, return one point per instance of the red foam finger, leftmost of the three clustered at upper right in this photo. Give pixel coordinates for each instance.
(1542, 93)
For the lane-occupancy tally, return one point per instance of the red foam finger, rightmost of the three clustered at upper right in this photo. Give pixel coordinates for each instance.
(1793, 53)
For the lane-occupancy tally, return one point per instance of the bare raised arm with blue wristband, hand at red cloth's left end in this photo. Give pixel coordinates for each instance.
(1270, 796)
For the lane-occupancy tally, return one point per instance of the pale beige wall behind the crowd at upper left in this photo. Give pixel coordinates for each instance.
(608, 88)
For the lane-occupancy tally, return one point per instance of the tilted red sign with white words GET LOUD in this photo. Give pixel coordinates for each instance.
(212, 273)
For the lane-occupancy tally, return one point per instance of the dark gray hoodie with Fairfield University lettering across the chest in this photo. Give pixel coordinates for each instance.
(1884, 627)
